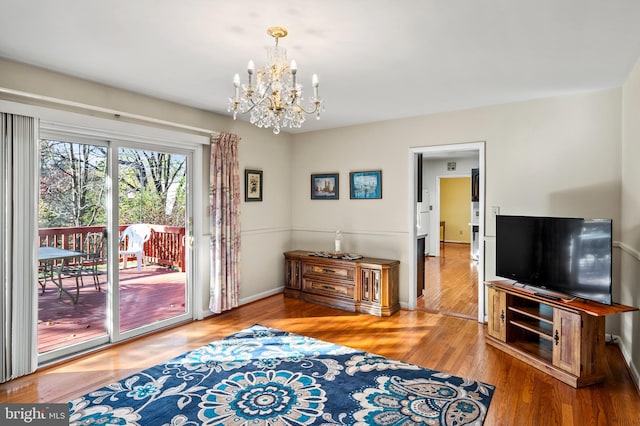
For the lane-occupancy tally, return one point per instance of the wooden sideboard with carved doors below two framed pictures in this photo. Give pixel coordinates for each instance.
(366, 285)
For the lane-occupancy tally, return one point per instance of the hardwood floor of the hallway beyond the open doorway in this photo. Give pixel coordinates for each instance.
(451, 282)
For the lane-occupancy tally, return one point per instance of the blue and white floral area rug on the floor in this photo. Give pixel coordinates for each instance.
(263, 376)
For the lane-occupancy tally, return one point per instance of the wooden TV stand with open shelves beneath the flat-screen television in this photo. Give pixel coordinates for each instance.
(565, 339)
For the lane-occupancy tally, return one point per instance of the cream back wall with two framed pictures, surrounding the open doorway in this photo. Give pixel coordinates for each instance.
(556, 156)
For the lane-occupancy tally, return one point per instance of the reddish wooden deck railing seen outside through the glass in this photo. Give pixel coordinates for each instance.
(165, 247)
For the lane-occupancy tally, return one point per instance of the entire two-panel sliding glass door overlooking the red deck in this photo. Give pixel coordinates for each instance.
(113, 254)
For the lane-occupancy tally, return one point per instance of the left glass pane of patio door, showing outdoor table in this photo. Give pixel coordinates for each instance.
(72, 254)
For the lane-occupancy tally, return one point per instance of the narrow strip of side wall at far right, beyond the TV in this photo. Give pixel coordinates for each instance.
(629, 330)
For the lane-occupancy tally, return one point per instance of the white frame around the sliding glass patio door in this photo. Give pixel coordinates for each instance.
(85, 129)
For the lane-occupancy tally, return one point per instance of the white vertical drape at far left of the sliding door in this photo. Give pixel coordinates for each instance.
(18, 245)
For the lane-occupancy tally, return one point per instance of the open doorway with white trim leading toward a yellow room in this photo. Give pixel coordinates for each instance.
(453, 249)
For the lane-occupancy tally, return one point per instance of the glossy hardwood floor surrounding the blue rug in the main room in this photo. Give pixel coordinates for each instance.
(523, 396)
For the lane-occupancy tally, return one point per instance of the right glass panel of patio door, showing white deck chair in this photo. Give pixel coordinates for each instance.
(152, 224)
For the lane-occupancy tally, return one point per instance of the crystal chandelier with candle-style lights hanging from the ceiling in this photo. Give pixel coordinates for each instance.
(275, 98)
